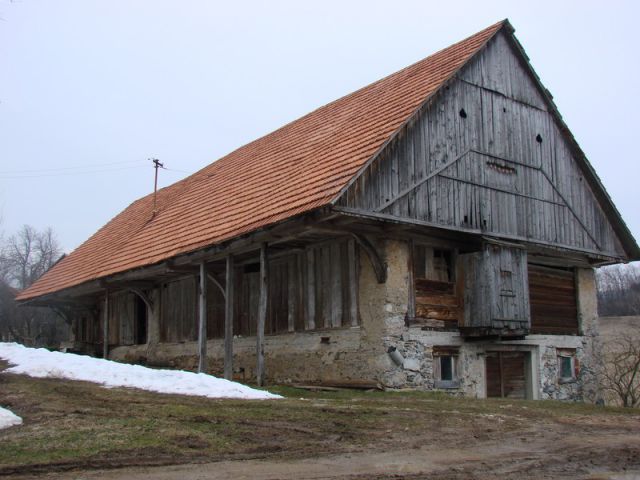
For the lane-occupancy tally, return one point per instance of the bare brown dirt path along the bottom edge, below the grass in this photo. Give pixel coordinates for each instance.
(603, 456)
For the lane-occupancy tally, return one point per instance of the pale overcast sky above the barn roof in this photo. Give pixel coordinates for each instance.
(90, 89)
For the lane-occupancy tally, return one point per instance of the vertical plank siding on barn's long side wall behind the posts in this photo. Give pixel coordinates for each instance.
(322, 276)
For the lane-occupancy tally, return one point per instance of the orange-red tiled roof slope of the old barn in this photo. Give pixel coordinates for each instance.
(294, 169)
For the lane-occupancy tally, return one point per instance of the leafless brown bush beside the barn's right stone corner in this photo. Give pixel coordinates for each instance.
(621, 368)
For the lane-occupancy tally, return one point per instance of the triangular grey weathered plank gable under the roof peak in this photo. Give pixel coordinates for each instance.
(487, 155)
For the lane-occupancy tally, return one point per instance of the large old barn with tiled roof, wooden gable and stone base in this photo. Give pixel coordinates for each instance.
(437, 229)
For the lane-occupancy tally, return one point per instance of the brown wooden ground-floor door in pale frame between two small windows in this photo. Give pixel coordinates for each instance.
(508, 374)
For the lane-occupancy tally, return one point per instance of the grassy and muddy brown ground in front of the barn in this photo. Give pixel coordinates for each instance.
(77, 430)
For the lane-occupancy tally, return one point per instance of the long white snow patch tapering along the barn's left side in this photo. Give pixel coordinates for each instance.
(42, 363)
